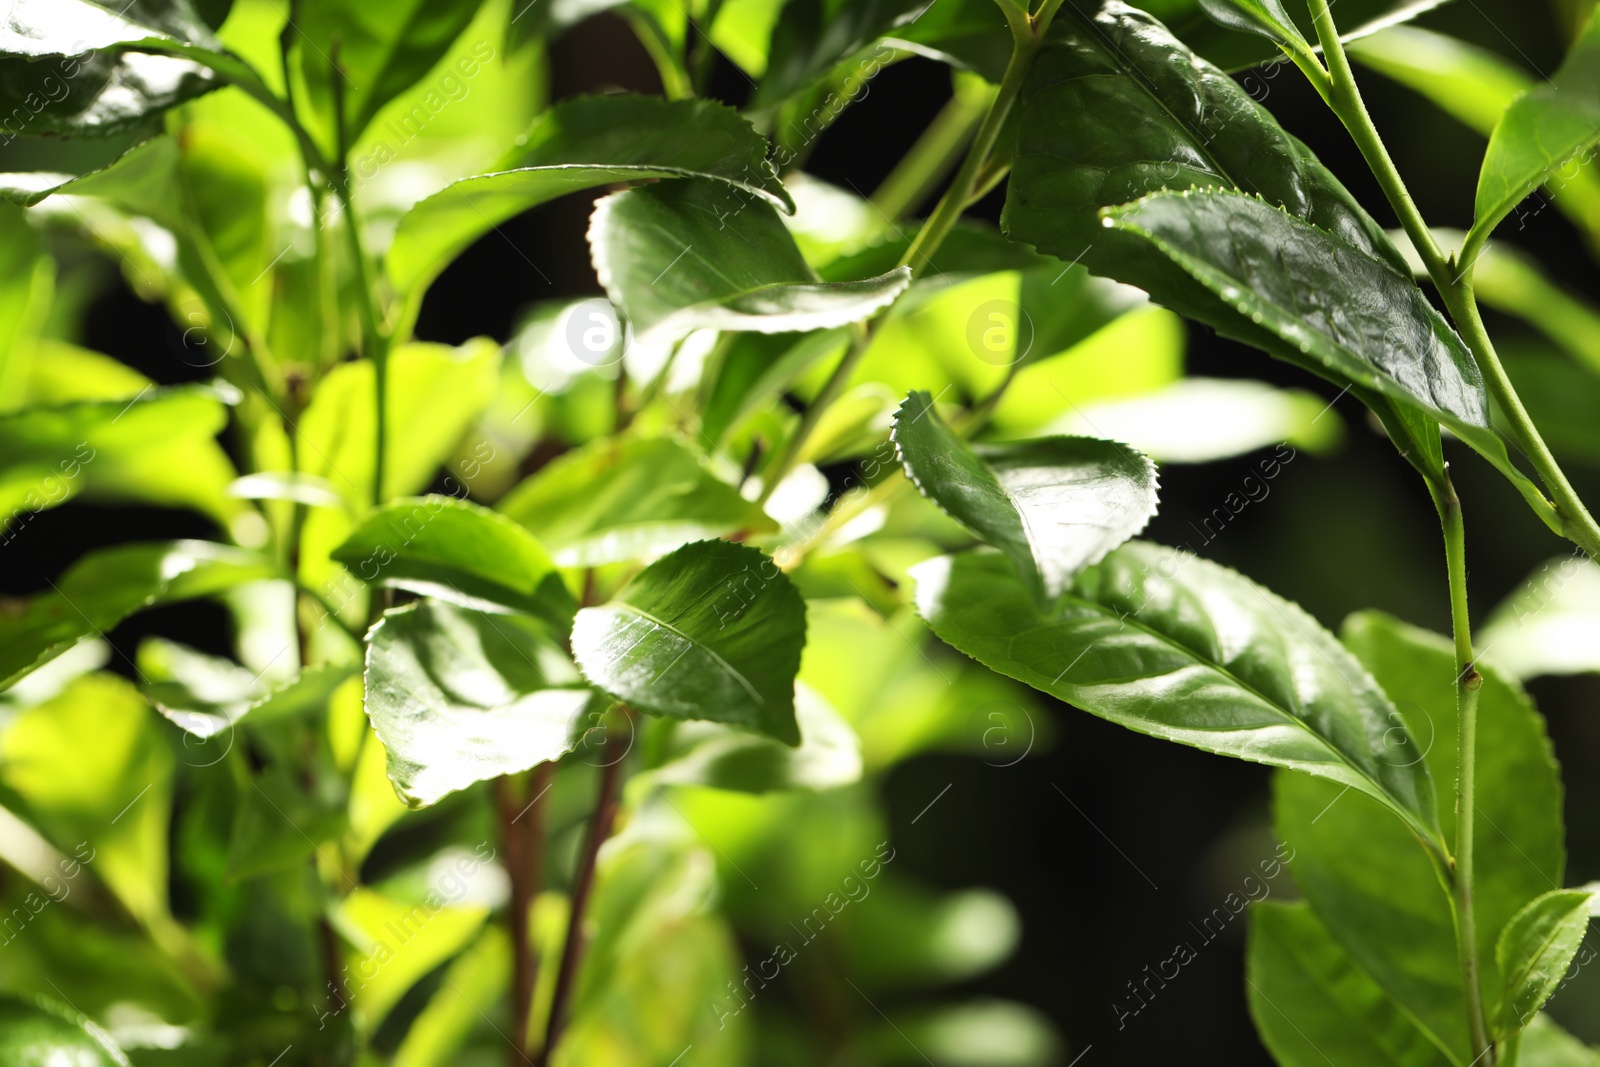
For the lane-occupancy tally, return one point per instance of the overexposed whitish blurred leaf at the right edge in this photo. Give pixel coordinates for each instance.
(1551, 625)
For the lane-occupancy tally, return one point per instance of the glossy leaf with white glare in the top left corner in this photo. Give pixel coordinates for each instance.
(65, 65)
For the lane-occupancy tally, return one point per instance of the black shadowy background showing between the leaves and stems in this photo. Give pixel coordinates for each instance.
(1154, 836)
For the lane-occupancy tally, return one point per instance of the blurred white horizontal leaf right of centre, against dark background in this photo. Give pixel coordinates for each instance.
(1202, 420)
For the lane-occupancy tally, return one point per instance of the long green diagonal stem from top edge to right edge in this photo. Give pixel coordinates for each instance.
(1454, 286)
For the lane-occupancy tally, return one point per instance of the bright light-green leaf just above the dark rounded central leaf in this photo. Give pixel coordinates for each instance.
(626, 500)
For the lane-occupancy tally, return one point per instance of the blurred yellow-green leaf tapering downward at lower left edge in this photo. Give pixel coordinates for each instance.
(108, 802)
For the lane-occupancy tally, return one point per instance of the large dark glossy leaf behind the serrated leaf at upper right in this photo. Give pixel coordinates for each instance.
(1116, 108)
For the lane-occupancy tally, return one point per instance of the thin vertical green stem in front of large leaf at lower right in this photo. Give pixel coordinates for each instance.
(1468, 682)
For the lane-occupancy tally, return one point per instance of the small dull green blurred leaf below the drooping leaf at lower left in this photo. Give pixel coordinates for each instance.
(279, 823)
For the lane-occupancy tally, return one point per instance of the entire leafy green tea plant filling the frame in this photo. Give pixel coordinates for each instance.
(513, 629)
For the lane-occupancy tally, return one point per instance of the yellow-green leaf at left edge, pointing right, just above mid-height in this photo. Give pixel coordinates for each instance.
(156, 449)
